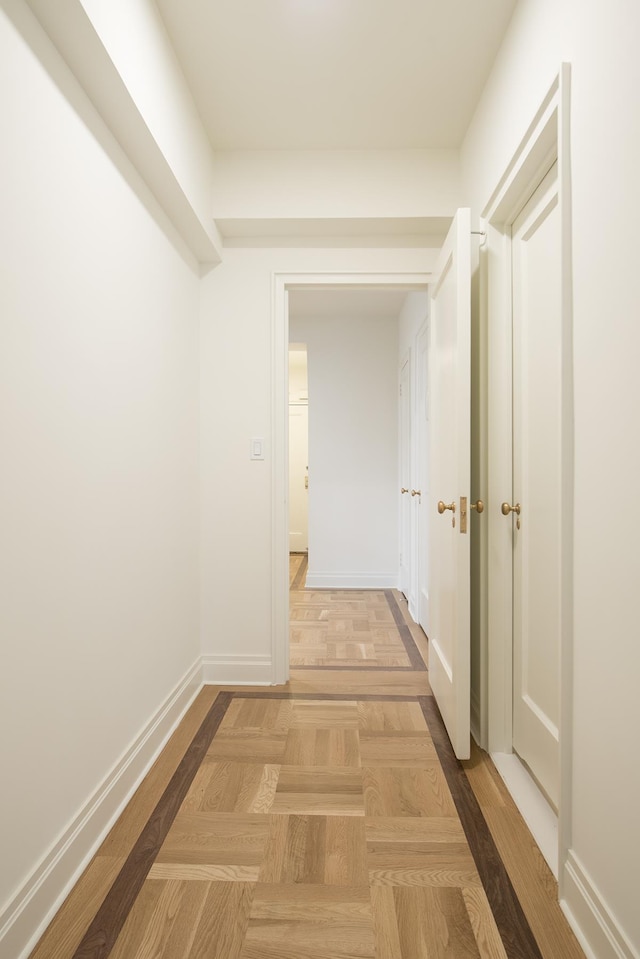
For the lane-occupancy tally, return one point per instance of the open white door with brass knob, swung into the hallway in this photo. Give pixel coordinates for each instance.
(449, 592)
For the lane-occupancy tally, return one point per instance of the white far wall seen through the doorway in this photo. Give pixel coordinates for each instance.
(353, 449)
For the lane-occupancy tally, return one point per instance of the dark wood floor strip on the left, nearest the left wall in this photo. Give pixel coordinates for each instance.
(100, 937)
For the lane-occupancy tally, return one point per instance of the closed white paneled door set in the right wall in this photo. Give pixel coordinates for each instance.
(537, 496)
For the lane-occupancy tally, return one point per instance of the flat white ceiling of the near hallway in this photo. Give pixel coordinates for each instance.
(336, 74)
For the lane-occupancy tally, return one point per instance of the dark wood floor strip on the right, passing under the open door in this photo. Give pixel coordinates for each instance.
(515, 931)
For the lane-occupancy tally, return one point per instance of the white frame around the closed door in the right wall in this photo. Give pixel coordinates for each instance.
(546, 141)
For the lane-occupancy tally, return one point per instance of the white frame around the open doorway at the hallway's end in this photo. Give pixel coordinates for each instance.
(281, 284)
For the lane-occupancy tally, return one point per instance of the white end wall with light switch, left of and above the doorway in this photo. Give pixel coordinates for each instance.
(236, 493)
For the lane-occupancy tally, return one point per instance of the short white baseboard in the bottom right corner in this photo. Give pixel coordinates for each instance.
(590, 918)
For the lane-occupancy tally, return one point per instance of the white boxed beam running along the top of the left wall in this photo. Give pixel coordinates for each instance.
(121, 55)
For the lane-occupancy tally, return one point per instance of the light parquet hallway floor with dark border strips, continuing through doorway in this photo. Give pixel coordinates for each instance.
(327, 819)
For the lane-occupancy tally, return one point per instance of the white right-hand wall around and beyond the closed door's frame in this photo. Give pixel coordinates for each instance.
(600, 43)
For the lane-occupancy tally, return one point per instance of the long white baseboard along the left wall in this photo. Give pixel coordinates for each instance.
(31, 909)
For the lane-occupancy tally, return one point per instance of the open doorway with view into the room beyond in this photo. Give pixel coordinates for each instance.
(350, 343)
